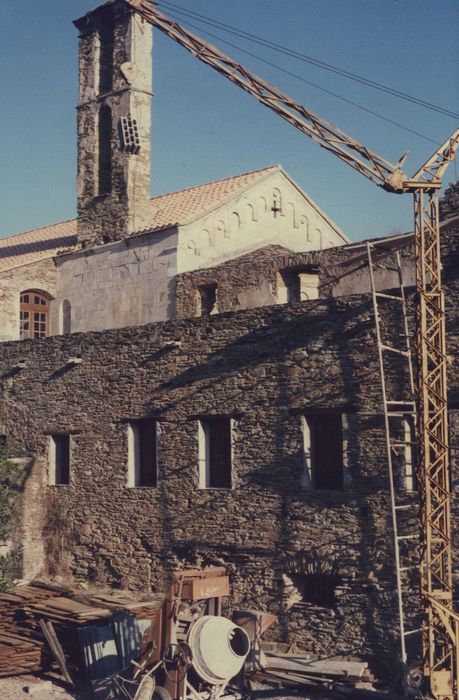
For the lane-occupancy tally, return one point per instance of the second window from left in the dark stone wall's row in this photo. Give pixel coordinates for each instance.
(142, 453)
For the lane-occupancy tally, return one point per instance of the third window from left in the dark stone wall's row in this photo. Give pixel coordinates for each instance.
(215, 453)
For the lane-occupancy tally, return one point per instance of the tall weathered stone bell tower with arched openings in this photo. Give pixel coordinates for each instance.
(114, 123)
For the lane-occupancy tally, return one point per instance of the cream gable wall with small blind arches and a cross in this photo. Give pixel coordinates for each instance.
(248, 222)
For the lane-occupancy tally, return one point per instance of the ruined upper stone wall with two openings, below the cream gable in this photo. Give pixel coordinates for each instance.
(256, 279)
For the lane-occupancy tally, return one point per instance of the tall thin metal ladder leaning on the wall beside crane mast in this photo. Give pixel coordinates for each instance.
(396, 411)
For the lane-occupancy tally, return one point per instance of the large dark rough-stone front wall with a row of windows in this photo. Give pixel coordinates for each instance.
(265, 368)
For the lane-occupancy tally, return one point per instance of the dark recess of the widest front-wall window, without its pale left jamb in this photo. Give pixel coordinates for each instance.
(327, 451)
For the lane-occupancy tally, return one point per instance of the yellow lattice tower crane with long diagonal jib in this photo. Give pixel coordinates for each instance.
(440, 624)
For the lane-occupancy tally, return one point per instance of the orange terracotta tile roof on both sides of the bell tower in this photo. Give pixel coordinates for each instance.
(165, 210)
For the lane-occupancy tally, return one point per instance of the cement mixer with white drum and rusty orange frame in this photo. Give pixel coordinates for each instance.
(190, 651)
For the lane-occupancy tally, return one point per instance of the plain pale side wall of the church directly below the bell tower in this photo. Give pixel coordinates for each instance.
(126, 283)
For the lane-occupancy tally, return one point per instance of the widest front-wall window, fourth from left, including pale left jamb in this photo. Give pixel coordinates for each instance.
(323, 451)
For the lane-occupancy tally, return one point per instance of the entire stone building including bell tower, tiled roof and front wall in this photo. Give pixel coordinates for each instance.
(211, 392)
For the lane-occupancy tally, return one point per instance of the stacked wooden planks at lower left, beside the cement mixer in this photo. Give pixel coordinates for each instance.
(23, 648)
